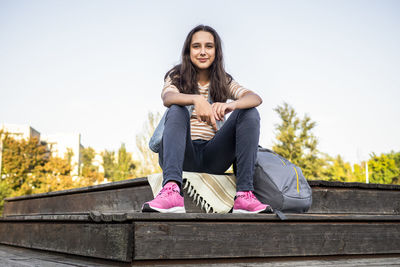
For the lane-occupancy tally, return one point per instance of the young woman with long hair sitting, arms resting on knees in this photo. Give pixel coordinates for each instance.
(196, 136)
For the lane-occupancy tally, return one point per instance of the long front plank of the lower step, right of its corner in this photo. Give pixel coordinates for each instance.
(190, 240)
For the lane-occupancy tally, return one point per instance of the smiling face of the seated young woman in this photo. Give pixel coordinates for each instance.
(202, 50)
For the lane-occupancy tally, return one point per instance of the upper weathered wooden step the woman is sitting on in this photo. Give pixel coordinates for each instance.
(328, 197)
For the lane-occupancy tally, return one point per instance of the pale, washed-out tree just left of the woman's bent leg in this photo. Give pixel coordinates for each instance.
(148, 160)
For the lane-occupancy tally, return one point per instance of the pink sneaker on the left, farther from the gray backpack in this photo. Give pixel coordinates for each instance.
(169, 200)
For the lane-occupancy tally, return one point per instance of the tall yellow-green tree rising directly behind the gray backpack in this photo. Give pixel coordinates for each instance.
(296, 142)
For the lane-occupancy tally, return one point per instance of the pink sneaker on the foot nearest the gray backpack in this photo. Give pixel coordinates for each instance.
(246, 202)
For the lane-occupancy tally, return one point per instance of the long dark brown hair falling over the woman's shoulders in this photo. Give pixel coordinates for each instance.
(184, 75)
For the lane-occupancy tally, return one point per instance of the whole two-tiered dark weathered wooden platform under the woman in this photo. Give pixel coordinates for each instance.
(103, 222)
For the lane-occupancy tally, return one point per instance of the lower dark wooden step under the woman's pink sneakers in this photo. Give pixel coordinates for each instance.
(135, 236)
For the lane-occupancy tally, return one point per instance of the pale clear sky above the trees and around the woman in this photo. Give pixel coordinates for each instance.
(97, 67)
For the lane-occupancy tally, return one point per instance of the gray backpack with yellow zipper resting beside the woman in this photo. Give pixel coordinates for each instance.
(280, 183)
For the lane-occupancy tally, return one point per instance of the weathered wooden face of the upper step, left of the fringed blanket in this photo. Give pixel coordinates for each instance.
(101, 199)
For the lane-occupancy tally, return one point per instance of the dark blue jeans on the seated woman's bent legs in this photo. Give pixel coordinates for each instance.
(236, 140)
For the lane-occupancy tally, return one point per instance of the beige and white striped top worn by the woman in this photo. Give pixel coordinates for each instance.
(200, 129)
